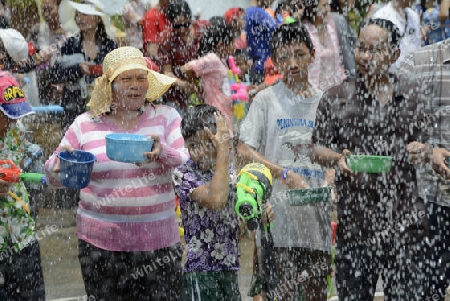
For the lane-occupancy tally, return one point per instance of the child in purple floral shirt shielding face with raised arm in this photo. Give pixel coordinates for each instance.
(207, 203)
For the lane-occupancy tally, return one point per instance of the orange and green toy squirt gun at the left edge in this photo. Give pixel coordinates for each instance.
(10, 173)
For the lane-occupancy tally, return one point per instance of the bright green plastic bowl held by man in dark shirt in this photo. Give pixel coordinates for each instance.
(369, 164)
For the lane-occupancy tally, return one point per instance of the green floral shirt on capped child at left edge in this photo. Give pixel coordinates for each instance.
(16, 224)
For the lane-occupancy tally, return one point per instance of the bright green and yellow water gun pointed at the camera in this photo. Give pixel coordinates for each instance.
(253, 190)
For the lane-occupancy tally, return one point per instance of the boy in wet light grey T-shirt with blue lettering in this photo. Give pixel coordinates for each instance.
(277, 133)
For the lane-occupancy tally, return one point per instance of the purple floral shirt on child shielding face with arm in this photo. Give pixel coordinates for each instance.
(212, 237)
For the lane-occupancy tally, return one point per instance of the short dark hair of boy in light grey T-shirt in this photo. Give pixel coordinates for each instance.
(289, 33)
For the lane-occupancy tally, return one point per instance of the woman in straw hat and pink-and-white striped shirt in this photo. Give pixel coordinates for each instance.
(126, 217)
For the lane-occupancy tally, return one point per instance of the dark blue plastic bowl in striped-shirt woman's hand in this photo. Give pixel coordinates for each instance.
(75, 168)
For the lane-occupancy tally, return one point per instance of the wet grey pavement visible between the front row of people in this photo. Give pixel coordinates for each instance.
(62, 275)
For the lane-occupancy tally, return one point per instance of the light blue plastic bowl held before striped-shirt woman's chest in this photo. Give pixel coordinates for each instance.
(128, 148)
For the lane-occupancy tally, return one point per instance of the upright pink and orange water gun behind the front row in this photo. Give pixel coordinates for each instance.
(239, 92)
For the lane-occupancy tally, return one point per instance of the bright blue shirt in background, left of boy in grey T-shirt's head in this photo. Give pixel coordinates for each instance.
(259, 26)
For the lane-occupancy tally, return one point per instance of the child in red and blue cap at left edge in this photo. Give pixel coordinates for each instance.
(20, 262)
